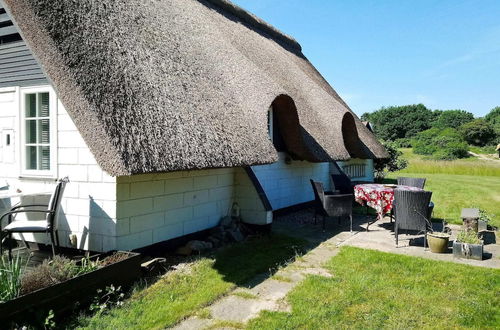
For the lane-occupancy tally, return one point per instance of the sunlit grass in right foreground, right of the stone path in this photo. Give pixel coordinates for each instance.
(371, 289)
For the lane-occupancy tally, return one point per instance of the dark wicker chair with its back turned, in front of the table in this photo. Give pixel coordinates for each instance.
(412, 211)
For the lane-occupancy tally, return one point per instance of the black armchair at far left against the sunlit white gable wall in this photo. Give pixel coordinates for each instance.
(46, 224)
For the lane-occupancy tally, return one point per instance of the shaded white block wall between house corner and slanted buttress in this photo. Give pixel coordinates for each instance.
(156, 207)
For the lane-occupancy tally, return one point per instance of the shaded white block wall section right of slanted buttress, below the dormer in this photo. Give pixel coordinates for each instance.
(288, 184)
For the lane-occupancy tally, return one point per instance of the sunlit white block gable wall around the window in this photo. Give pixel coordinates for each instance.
(89, 201)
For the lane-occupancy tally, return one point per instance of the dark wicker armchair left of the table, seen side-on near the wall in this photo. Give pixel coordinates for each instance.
(331, 205)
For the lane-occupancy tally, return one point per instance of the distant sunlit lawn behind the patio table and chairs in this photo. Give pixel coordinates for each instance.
(457, 184)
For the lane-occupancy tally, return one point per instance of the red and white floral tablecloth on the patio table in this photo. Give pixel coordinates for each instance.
(377, 196)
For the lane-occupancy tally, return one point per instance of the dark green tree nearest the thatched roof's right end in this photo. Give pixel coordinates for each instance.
(406, 121)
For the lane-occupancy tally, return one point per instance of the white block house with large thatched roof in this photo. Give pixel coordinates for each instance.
(163, 114)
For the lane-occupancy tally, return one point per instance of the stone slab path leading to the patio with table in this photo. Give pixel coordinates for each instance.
(264, 293)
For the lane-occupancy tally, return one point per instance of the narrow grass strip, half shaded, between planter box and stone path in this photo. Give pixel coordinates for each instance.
(182, 293)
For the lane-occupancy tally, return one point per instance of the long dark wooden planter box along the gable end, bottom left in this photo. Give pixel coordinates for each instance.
(62, 297)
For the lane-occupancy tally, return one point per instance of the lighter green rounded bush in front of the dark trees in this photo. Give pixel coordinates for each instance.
(441, 144)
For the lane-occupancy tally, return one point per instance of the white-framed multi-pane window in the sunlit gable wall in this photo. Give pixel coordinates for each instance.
(38, 149)
